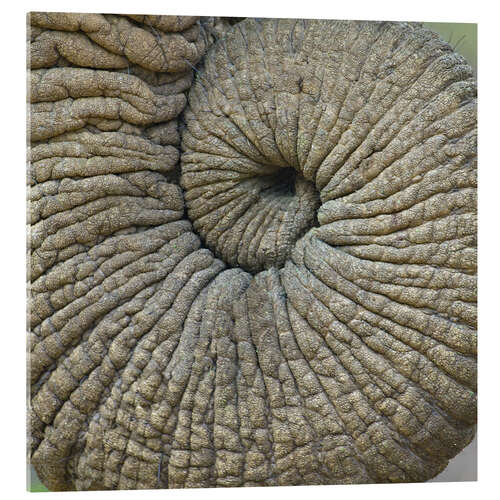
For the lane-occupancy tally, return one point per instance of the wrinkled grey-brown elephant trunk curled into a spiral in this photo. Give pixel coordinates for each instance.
(303, 310)
